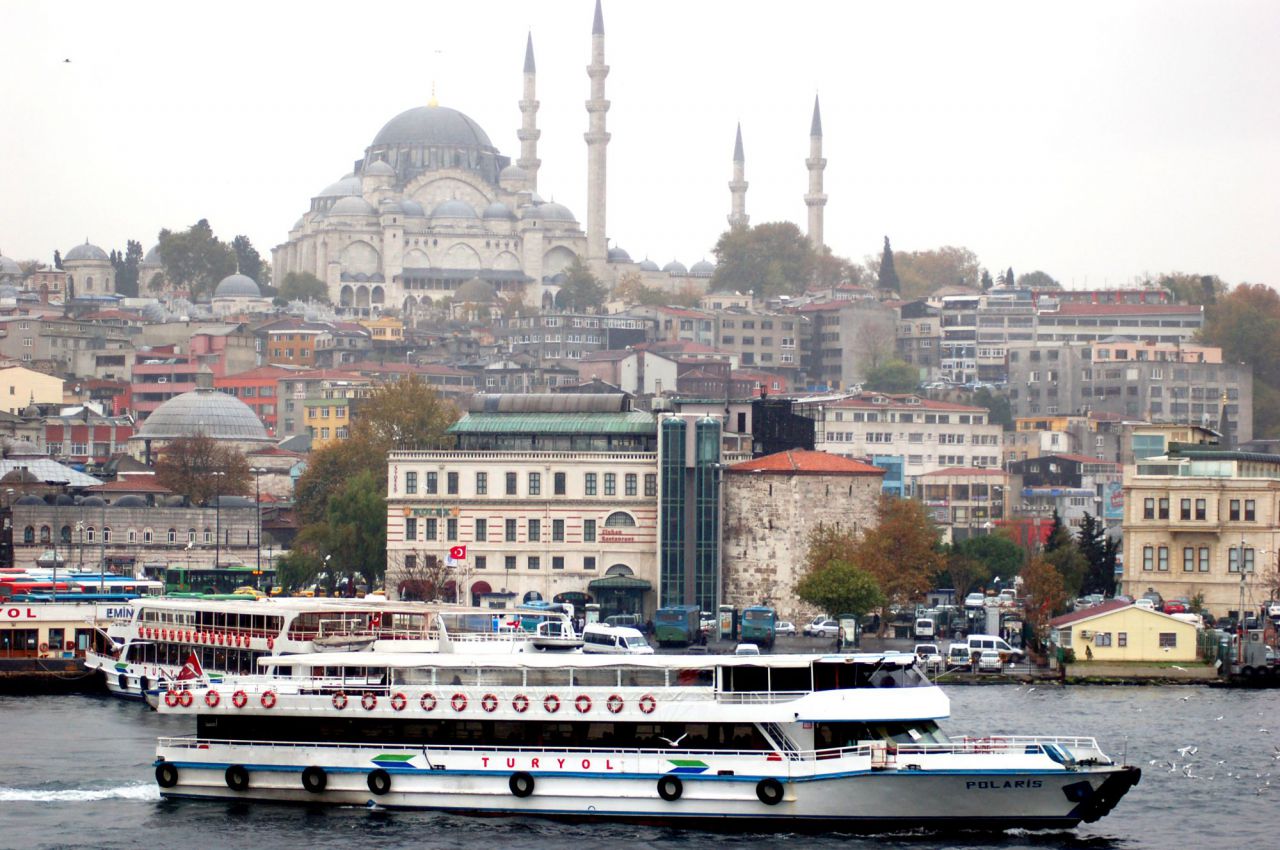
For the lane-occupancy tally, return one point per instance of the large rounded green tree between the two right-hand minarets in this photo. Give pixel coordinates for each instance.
(770, 259)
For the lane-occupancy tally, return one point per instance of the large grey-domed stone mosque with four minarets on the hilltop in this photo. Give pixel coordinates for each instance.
(433, 208)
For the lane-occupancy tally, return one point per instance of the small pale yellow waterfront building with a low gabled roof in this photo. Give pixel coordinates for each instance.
(1121, 630)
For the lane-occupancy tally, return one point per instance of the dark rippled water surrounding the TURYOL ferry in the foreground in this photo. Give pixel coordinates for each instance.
(76, 773)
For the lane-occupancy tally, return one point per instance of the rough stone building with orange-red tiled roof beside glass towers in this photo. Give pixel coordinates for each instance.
(772, 505)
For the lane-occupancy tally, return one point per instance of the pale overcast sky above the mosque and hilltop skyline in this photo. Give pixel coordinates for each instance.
(1095, 141)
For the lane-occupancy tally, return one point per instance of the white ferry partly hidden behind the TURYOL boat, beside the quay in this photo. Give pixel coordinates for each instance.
(231, 636)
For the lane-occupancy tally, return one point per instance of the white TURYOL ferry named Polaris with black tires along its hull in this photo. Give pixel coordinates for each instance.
(774, 743)
